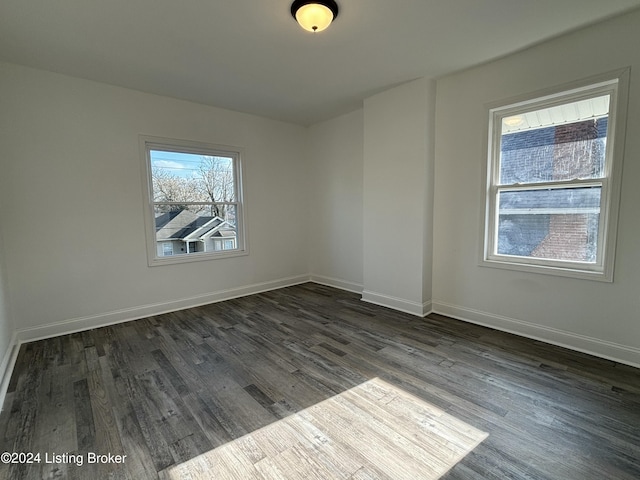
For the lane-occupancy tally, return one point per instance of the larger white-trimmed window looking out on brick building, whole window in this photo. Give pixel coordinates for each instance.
(553, 181)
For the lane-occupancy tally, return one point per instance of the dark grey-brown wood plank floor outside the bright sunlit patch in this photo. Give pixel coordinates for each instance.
(165, 389)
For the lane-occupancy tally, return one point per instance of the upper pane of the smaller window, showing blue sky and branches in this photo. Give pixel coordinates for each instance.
(187, 177)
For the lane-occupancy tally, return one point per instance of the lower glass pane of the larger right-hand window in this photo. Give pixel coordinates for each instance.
(555, 224)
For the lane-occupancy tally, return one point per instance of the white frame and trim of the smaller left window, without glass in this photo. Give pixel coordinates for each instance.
(148, 143)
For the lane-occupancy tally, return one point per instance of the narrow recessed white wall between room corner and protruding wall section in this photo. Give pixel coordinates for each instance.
(335, 203)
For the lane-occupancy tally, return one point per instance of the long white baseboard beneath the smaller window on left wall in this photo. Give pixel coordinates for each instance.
(118, 316)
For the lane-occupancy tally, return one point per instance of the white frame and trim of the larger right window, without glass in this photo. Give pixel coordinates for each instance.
(616, 85)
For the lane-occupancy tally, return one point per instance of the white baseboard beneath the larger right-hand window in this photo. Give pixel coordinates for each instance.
(573, 341)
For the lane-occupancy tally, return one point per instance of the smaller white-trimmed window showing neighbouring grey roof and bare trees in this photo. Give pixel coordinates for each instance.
(193, 196)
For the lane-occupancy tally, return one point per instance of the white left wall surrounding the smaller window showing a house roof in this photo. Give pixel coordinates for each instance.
(73, 209)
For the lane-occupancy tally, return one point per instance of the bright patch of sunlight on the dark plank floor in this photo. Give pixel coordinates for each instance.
(374, 430)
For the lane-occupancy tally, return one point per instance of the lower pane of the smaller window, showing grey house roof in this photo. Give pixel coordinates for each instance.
(184, 230)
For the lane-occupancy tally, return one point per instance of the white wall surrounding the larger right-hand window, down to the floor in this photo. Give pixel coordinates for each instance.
(591, 316)
